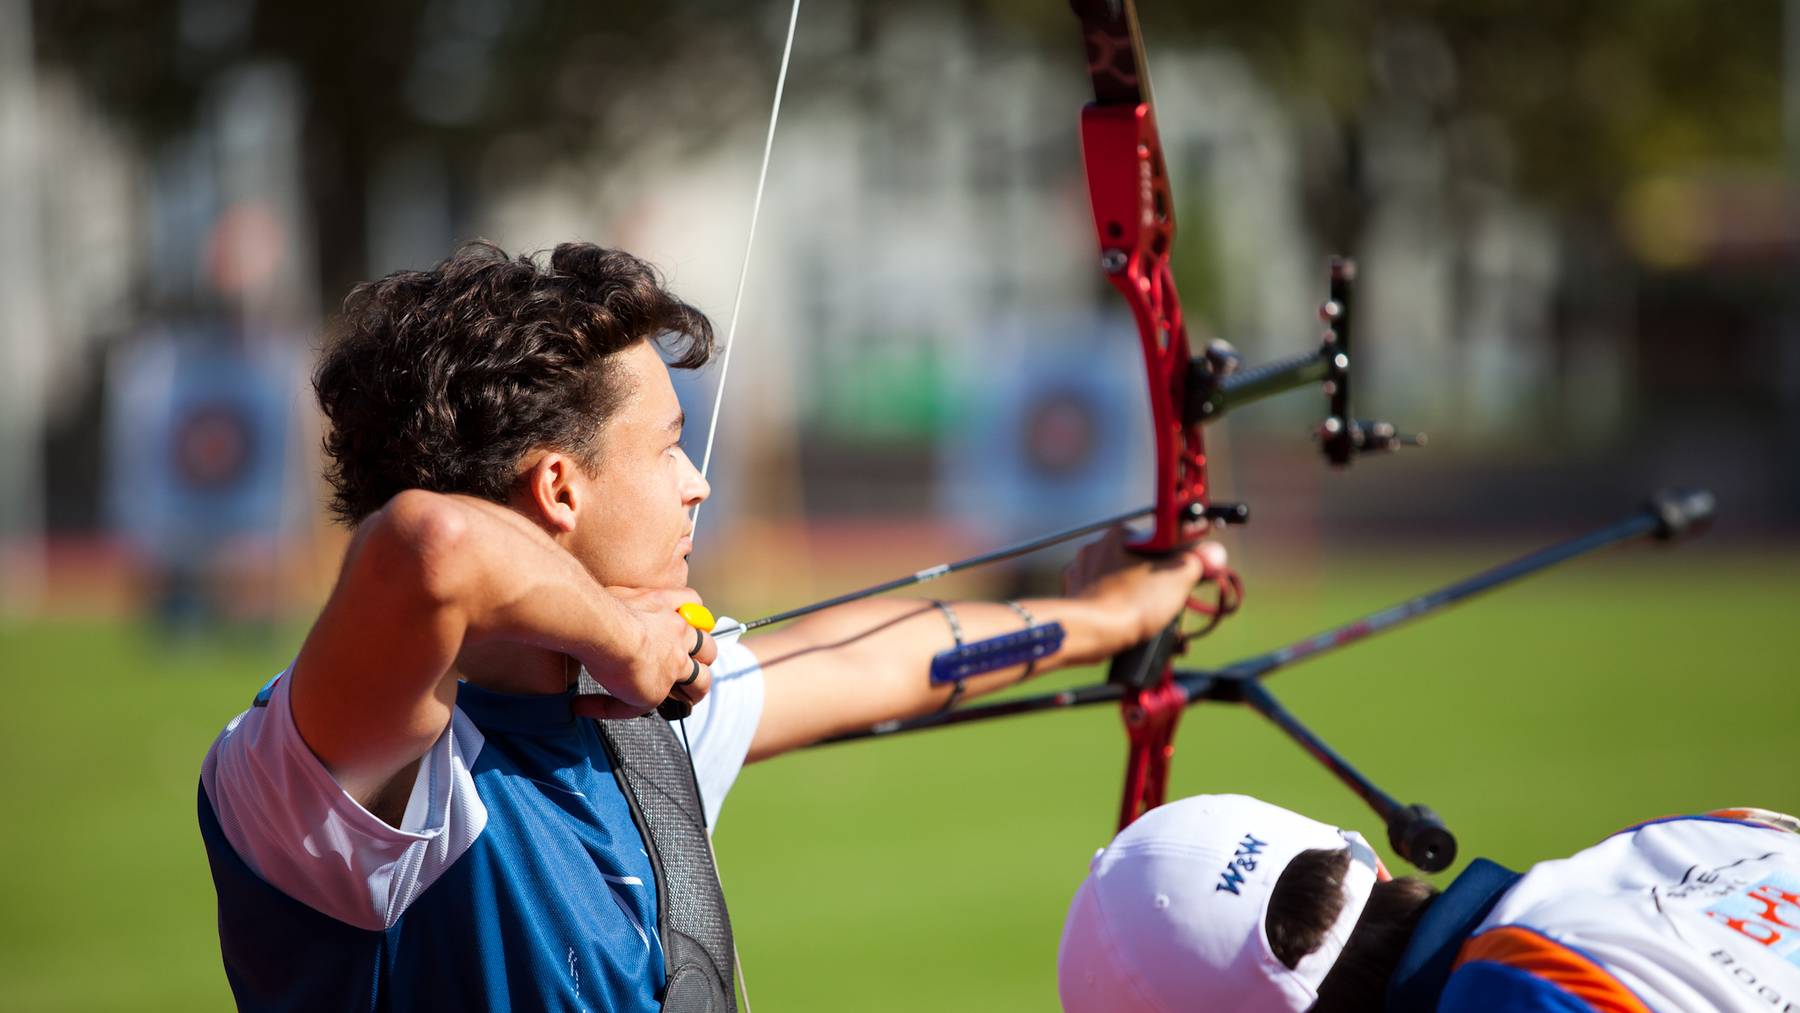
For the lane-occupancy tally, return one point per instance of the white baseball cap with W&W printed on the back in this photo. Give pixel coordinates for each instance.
(1171, 915)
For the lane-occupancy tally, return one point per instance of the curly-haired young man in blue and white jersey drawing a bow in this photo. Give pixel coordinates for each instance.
(418, 814)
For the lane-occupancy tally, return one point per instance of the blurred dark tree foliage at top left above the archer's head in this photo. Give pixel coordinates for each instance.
(449, 75)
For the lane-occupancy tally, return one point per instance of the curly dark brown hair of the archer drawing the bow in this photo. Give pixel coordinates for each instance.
(445, 379)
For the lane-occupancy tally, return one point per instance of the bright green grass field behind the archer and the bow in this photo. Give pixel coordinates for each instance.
(931, 872)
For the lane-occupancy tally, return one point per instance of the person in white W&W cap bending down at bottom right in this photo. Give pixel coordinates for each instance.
(1227, 902)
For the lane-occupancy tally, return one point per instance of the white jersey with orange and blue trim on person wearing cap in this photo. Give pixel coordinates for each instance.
(1689, 913)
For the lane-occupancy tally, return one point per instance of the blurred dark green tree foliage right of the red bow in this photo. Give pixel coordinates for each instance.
(1590, 96)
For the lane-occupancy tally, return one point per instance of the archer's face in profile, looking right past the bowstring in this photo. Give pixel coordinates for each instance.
(634, 526)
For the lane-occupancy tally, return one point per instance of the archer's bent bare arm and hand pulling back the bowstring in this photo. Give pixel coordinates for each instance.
(431, 578)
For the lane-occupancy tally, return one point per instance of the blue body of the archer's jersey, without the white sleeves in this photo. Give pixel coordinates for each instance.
(552, 908)
